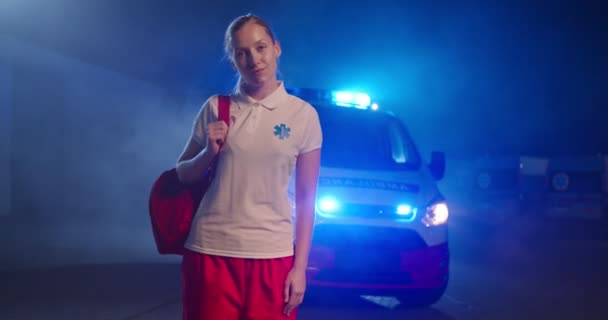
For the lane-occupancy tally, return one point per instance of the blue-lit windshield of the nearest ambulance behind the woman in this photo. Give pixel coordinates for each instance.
(365, 140)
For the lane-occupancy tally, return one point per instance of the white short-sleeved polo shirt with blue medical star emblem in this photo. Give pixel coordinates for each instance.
(246, 211)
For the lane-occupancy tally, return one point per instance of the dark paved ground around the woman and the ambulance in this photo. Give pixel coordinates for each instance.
(526, 269)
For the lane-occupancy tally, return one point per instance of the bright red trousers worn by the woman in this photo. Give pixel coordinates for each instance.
(224, 288)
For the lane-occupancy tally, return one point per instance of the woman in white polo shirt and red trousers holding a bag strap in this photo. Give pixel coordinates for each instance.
(242, 260)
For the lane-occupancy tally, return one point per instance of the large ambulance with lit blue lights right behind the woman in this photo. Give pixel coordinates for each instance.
(381, 221)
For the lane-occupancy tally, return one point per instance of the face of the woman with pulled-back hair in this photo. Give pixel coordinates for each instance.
(255, 55)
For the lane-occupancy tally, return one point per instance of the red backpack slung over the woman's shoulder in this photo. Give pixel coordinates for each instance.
(172, 204)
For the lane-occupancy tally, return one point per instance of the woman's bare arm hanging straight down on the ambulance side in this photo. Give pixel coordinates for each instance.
(307, 176)
